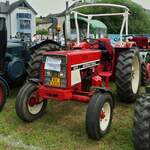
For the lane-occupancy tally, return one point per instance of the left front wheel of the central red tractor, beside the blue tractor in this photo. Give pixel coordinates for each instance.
(27, 106)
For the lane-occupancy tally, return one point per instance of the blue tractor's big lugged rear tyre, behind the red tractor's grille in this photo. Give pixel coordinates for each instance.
(34, 63)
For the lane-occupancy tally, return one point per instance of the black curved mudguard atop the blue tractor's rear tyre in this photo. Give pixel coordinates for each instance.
(38, 45)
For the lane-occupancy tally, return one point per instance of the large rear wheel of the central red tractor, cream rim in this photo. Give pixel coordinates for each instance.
(128, 72)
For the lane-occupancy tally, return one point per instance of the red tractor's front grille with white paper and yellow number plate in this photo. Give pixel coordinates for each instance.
(55, 71)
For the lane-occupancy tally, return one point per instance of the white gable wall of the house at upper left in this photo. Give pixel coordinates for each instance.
(15, 22)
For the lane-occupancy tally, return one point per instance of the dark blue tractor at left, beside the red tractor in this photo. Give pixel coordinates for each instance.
(18, 61)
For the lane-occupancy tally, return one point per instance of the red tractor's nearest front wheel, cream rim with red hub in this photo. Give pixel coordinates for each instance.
(99, 115)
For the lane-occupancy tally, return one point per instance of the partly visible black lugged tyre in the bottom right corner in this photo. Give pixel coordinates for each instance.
(141, 126)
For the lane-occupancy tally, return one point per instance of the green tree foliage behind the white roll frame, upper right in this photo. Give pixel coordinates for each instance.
(139, 19)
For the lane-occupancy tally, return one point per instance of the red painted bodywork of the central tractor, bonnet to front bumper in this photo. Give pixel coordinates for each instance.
(83, 53)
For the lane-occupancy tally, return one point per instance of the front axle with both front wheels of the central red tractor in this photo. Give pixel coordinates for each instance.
(34, 96)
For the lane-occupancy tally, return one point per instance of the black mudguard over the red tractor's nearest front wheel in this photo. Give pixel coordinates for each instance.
(104, 90)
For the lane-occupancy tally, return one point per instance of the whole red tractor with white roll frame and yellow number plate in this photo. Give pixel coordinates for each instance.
(83, 74)
